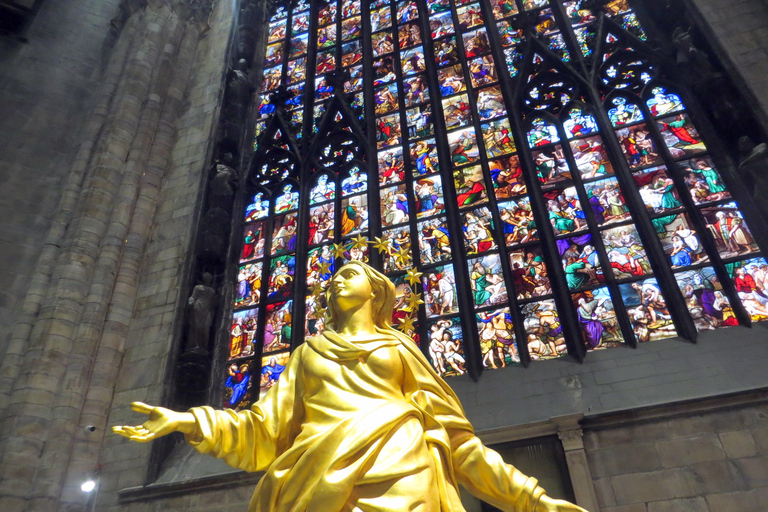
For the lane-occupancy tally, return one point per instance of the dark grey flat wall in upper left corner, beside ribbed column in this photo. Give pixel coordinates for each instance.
(47, 88)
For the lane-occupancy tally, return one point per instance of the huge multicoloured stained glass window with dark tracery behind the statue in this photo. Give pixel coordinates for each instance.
(521, 170)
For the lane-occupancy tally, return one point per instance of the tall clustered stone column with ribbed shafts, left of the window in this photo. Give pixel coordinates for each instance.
(60, 369)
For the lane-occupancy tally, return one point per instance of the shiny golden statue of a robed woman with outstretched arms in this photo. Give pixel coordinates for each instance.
(359, 421)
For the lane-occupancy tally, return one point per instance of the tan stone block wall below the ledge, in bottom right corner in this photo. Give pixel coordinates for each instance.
(709, 462)
